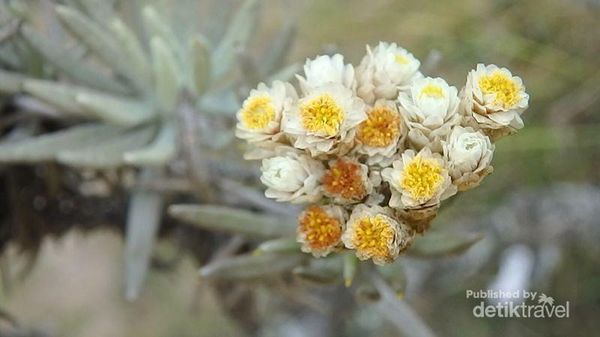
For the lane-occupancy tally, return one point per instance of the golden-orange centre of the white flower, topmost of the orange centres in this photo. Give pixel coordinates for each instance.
(380, 128)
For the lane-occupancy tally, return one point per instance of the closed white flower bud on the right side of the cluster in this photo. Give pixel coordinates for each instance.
(469, 154)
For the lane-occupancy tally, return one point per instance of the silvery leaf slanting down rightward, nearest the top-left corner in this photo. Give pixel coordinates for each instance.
(70, 63)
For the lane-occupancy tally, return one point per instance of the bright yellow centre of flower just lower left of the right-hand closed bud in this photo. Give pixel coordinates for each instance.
(422, 178)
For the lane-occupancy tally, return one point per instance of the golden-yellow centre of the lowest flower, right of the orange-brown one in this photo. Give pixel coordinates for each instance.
(373, 236)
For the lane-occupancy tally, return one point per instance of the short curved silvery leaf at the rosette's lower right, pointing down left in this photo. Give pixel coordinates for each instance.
(159, 152)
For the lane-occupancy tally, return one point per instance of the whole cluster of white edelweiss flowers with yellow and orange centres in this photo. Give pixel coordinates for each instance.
(375, 149)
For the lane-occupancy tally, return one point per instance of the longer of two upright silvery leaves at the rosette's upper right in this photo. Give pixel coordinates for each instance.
(166, 76)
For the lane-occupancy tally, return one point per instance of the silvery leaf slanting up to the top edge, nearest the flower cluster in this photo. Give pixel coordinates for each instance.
(242, 26)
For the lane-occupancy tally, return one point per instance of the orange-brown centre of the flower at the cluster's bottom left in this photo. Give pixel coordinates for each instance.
(320, 229)
